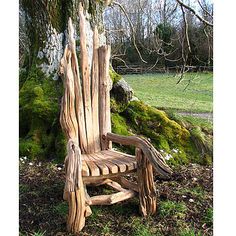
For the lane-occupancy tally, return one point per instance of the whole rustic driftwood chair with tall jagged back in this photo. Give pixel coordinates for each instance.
(85, 119)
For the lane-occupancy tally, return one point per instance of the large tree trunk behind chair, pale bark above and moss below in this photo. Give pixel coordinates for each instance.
(43, 36)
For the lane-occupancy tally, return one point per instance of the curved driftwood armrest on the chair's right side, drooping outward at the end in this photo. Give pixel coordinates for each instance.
(149, 151)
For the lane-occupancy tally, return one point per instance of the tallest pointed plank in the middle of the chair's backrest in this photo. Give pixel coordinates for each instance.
(86, 82)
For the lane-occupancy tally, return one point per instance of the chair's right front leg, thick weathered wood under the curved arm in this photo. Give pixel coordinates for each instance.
(147, 191)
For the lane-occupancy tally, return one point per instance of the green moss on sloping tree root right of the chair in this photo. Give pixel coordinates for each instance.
(164, 133)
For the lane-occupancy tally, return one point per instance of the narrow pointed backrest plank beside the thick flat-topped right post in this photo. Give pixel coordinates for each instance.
(95, 92)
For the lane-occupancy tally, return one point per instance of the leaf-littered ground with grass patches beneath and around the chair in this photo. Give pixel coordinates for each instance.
(184, 205)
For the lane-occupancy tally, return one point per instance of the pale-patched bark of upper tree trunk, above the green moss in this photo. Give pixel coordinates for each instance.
(45, 25)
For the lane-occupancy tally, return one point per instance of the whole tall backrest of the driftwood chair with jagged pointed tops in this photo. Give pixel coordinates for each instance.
(88, 95)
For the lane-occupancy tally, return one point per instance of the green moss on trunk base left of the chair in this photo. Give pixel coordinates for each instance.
(39, 106)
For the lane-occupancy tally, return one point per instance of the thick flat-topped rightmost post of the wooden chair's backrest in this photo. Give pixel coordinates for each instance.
(104, 104)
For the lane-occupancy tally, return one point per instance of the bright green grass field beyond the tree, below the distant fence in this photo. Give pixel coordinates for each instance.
(193, 94)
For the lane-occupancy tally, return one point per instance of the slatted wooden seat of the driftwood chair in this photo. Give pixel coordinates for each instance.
(107, 162)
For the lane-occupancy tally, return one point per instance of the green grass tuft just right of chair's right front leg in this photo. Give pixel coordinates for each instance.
(171, 208)
